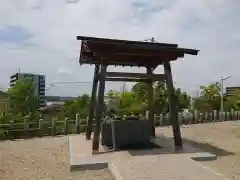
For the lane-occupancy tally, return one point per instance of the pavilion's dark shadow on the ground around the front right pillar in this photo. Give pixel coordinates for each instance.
(166, 146)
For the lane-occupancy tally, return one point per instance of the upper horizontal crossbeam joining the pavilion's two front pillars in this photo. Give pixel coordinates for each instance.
(154, 77)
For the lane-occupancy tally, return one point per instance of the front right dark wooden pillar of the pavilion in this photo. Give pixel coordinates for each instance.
(173, 115)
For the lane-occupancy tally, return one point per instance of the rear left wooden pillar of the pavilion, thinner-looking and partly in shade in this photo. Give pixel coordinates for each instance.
(92, 103)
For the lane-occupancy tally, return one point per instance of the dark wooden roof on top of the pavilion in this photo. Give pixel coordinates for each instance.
(129, 53)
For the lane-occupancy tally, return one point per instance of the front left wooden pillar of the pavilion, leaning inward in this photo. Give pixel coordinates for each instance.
(100, 108)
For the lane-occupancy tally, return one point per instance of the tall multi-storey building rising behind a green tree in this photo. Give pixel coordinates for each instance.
(38, 80)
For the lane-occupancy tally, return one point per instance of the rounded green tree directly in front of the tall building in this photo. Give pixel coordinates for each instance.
(22, 98)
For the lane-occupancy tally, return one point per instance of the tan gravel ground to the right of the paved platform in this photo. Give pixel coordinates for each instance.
(222, 139)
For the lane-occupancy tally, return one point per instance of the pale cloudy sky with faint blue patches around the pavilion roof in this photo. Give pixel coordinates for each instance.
(39, 36)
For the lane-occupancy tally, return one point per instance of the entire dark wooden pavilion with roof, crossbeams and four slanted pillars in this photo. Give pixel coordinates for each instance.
(103, 52)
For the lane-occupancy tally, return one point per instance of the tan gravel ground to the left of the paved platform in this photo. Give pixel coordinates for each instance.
(41, 159)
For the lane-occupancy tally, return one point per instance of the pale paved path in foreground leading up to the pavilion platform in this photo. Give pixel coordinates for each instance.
(162, 167)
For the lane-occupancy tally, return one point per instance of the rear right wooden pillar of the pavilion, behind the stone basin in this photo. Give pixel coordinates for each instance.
(150, 103)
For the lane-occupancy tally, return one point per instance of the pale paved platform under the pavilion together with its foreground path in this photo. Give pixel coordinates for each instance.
(157, 164)
